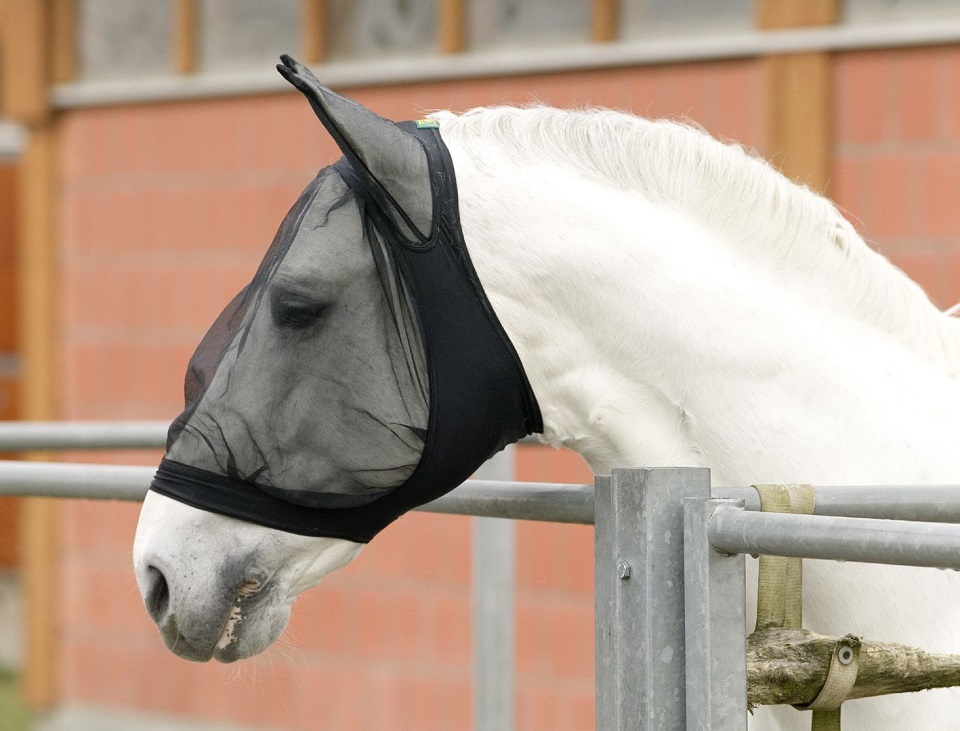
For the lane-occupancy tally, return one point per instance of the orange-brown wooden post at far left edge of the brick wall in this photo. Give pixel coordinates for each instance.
(27, 29)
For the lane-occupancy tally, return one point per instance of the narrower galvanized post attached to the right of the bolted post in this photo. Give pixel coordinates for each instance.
(716, 643)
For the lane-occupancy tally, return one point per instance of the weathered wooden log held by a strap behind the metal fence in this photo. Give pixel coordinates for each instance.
(789, 666)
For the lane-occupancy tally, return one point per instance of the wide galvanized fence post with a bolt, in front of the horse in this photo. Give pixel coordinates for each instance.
(638, 564)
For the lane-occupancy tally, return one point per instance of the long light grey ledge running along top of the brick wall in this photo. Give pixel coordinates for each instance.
(515, 62)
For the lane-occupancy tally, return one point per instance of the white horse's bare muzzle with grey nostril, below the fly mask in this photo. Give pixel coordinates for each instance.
(236, 581)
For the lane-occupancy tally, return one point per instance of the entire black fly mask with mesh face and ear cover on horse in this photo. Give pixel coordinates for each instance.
(362, 372)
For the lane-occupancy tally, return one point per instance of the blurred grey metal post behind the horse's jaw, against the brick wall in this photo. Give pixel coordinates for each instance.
(494, 561)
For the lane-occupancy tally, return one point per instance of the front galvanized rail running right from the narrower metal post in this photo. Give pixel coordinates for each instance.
(898, 543)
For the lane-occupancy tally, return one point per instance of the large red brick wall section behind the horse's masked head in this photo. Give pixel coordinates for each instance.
(166, 210)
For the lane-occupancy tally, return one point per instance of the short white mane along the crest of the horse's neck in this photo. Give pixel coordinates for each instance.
(732, 191)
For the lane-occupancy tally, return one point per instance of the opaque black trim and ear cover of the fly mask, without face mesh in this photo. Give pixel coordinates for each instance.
(479, 397)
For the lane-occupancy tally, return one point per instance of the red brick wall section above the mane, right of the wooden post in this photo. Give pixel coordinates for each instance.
(896, 168)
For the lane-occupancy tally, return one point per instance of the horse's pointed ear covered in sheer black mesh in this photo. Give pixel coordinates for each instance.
(376, 147)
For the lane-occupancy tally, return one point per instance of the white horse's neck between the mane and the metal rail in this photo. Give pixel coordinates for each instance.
(650, 340)
